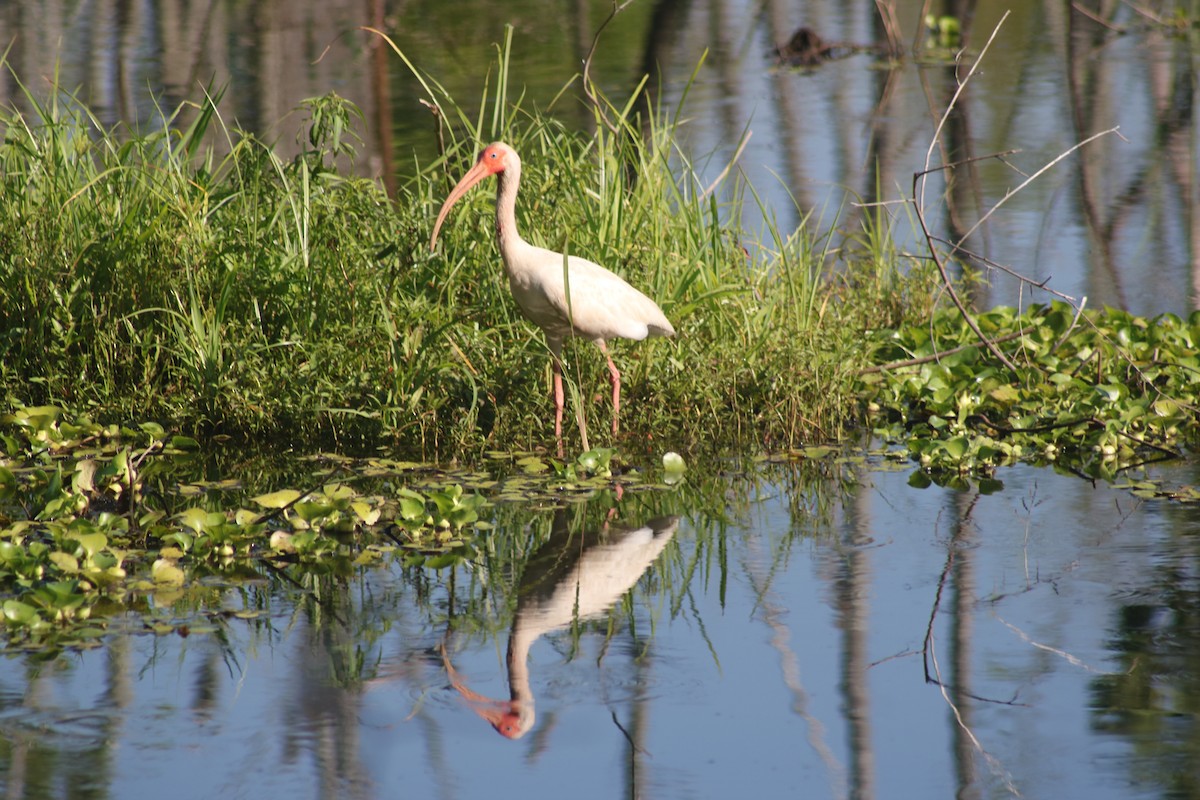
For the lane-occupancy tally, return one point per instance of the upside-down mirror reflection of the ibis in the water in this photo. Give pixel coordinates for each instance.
(569, 579)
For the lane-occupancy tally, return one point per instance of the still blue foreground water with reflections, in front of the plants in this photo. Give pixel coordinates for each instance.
(778, 648)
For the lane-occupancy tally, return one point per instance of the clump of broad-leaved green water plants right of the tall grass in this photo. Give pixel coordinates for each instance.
(1099, 392)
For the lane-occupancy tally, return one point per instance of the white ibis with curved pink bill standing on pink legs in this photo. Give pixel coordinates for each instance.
(591, 303)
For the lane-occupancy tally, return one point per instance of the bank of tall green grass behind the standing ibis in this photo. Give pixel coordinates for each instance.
(190, 275)
